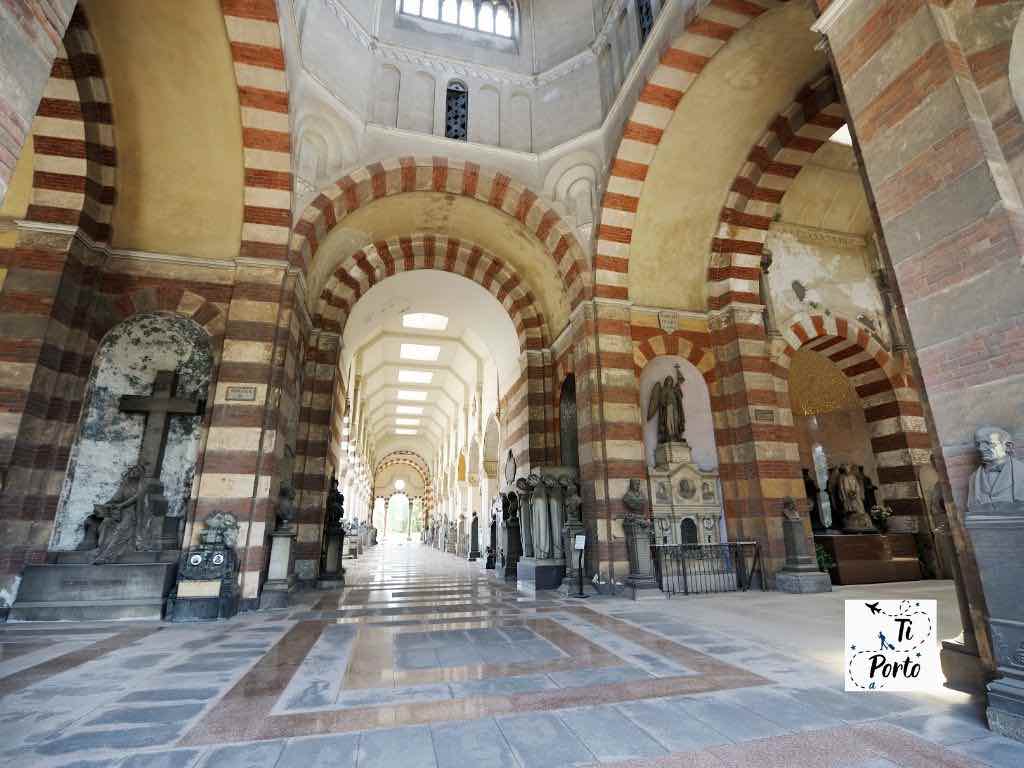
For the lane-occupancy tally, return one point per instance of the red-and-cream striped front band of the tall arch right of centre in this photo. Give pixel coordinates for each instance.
(680, 66)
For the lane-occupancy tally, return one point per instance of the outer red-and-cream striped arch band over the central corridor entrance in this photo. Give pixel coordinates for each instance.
(451, 178)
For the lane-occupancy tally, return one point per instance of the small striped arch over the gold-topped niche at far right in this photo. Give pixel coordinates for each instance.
(892, 409)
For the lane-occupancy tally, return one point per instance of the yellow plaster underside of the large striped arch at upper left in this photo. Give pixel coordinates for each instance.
(177, 124)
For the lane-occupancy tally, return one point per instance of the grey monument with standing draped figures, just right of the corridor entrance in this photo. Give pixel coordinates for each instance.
(544, 495)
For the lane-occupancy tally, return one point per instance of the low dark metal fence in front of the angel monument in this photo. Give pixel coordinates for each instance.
(698, 569)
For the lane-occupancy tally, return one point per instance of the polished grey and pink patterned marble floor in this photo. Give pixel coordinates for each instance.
(424, 661)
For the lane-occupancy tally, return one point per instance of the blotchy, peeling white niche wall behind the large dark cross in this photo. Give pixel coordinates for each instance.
(109, 441)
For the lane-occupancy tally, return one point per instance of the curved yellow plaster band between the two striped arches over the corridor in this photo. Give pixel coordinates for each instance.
(455, 217)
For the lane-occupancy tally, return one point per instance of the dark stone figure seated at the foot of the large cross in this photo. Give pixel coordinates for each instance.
(125, 523)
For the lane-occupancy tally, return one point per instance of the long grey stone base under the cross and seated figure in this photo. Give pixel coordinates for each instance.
(88, 593)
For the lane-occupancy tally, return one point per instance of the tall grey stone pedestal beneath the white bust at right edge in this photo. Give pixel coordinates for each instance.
(998, 535)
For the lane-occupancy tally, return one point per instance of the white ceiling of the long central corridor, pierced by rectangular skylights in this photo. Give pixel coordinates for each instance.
(479, 351)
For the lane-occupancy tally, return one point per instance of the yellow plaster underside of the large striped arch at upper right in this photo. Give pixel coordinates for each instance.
(723, 114)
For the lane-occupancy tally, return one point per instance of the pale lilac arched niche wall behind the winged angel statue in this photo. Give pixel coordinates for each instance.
(697, 404)
